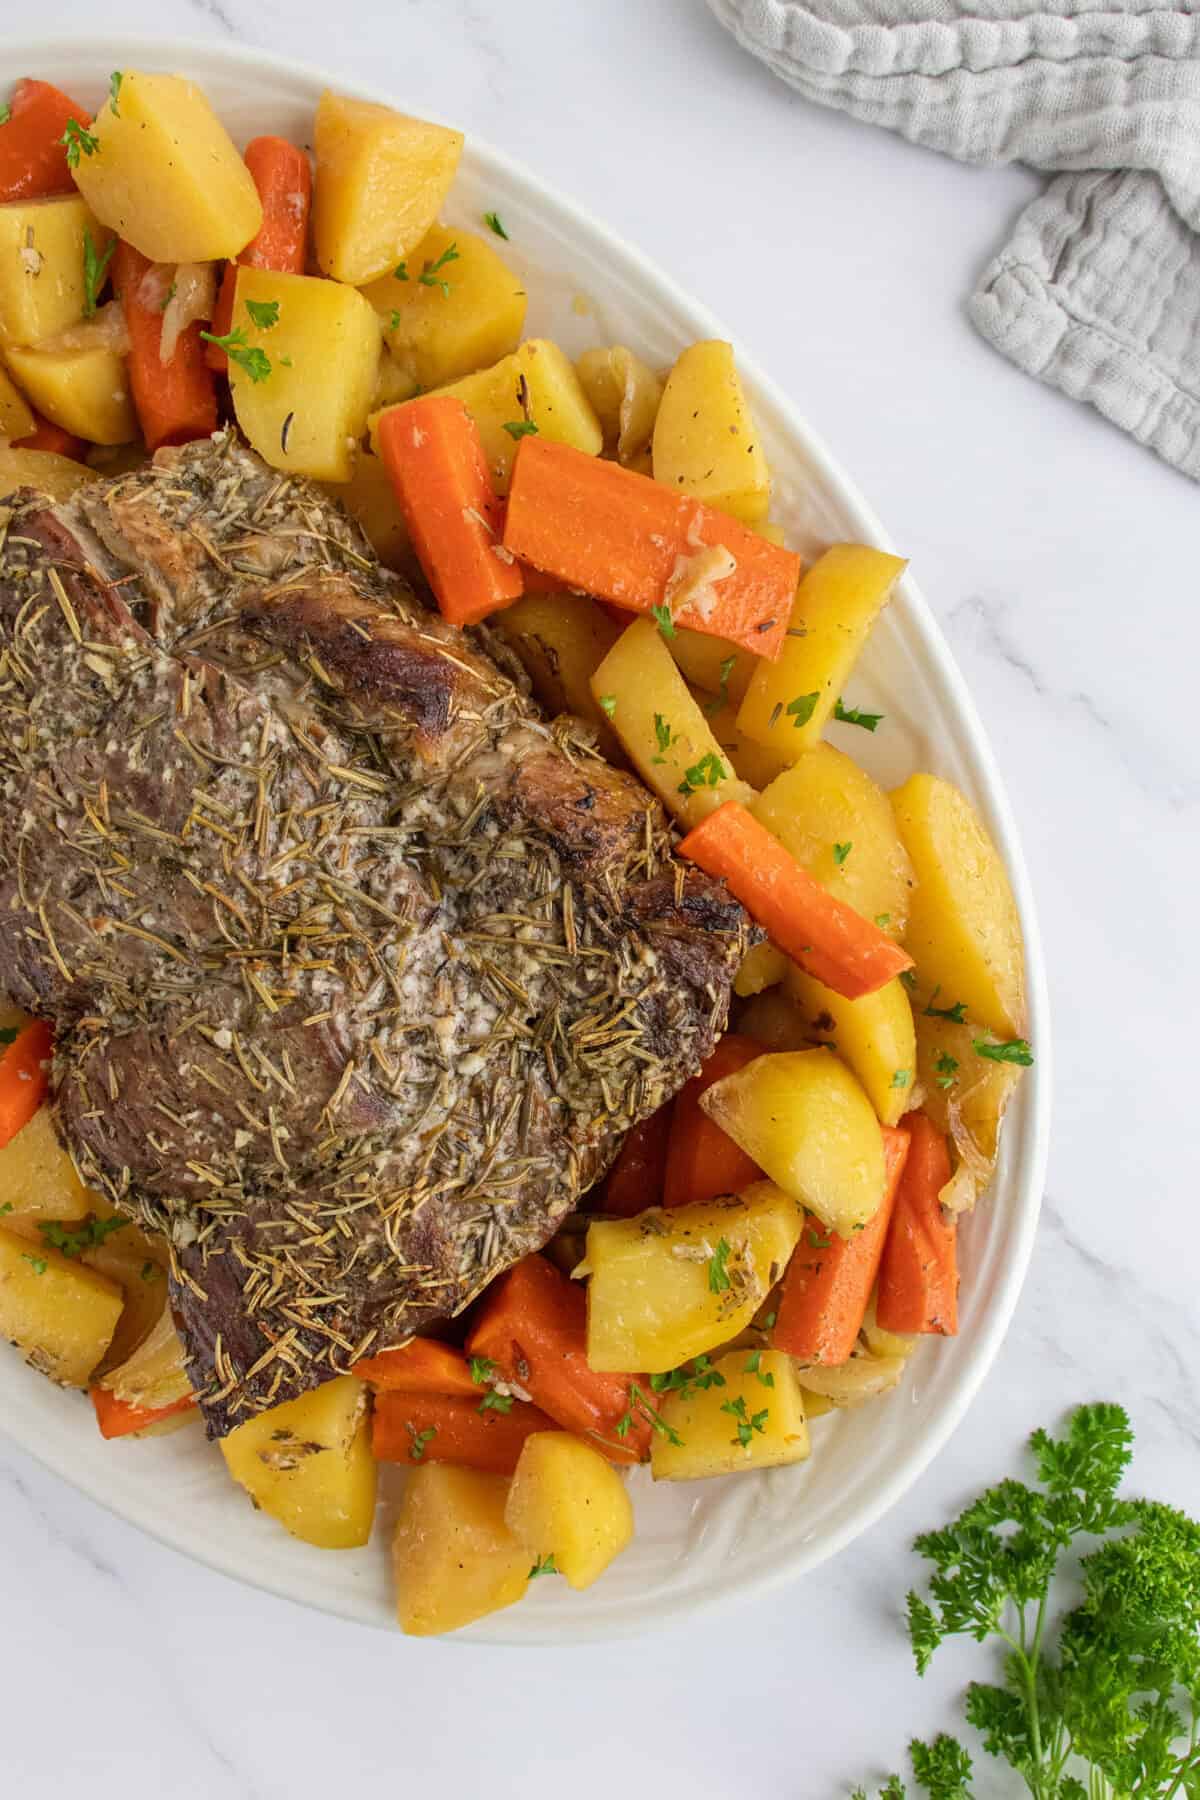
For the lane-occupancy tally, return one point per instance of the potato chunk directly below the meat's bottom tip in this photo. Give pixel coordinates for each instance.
(309, 1464)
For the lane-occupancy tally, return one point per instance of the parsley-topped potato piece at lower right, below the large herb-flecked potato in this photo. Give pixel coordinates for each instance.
(753, 1417)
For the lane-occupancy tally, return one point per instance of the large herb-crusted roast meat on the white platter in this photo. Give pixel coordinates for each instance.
(359, 967)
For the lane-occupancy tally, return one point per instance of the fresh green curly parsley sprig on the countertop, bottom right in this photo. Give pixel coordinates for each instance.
(1111, 1709)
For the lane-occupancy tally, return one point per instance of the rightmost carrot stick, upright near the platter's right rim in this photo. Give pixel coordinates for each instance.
(920, 1268)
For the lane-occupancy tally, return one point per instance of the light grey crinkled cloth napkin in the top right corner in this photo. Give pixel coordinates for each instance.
(1100, 289)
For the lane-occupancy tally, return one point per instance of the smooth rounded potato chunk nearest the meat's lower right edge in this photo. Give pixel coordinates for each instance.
(807, 1122)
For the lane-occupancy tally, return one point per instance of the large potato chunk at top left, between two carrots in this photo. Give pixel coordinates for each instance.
(166, 174)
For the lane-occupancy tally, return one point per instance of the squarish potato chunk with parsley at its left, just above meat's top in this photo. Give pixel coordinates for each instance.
(323, 352)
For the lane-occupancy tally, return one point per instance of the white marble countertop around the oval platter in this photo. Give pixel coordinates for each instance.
(1062, 562)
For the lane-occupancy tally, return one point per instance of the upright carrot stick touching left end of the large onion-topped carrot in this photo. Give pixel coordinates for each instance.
(438, 469)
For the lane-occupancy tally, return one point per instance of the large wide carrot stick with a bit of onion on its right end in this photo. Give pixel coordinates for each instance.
(627, 539)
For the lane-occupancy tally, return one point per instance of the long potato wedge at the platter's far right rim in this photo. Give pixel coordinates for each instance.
(963, 928)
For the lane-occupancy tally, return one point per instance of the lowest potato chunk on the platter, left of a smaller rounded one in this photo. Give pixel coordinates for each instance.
(454, 1558)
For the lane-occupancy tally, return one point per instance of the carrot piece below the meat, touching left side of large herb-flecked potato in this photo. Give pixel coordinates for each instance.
(533, 1326)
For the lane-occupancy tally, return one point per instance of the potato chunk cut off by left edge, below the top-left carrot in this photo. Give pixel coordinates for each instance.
(42, 287)
